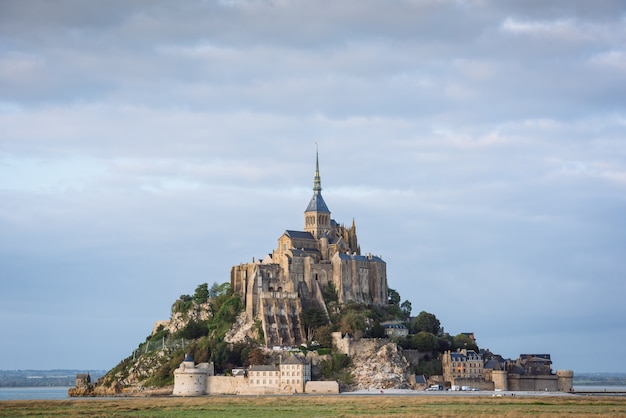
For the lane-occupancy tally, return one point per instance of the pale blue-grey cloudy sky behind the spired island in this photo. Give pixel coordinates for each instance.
(148, 146)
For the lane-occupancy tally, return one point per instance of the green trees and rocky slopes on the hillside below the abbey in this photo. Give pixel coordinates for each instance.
(204, 325)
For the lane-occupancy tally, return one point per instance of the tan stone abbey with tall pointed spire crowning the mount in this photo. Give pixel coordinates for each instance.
(304, 264)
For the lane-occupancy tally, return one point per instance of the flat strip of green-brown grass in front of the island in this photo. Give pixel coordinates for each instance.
(321, 406)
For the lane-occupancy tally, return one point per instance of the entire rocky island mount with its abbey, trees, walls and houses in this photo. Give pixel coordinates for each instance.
(315, 315)
